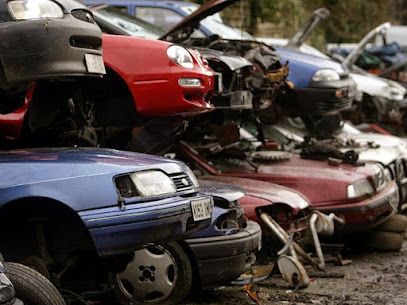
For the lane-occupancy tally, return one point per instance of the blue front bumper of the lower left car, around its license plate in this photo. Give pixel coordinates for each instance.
(118, 230)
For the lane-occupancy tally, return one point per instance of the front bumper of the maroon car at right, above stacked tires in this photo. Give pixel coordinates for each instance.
(368, 213)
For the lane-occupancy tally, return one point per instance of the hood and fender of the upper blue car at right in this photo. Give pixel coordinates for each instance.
(303, 66)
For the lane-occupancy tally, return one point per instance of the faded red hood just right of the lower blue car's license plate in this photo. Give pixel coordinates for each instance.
(265, 190)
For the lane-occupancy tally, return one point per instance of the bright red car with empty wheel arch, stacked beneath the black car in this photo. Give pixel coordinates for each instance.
(145, 78)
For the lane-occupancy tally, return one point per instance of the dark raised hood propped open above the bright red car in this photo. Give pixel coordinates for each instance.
(186, 27)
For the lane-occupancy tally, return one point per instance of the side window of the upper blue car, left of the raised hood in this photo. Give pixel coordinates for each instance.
(162, 17)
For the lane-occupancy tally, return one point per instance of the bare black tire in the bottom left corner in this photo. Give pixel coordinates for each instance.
(32, 287)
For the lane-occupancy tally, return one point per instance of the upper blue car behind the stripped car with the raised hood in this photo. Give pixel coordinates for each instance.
(321, 86)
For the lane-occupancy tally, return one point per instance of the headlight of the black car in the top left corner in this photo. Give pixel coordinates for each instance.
(34, 9)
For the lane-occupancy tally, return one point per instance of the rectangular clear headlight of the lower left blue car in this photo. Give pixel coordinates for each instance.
(152, 183)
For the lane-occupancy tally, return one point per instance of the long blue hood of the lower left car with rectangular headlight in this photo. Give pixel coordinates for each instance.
(38, 165)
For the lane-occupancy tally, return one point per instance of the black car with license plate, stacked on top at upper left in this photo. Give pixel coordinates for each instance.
(45, 39)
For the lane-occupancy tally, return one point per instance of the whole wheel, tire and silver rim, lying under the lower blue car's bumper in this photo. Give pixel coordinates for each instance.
(158, 274)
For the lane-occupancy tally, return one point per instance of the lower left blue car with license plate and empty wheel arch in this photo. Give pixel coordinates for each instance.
(88, 209)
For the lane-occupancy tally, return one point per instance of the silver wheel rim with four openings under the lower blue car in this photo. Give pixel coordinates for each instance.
(150, 276)
